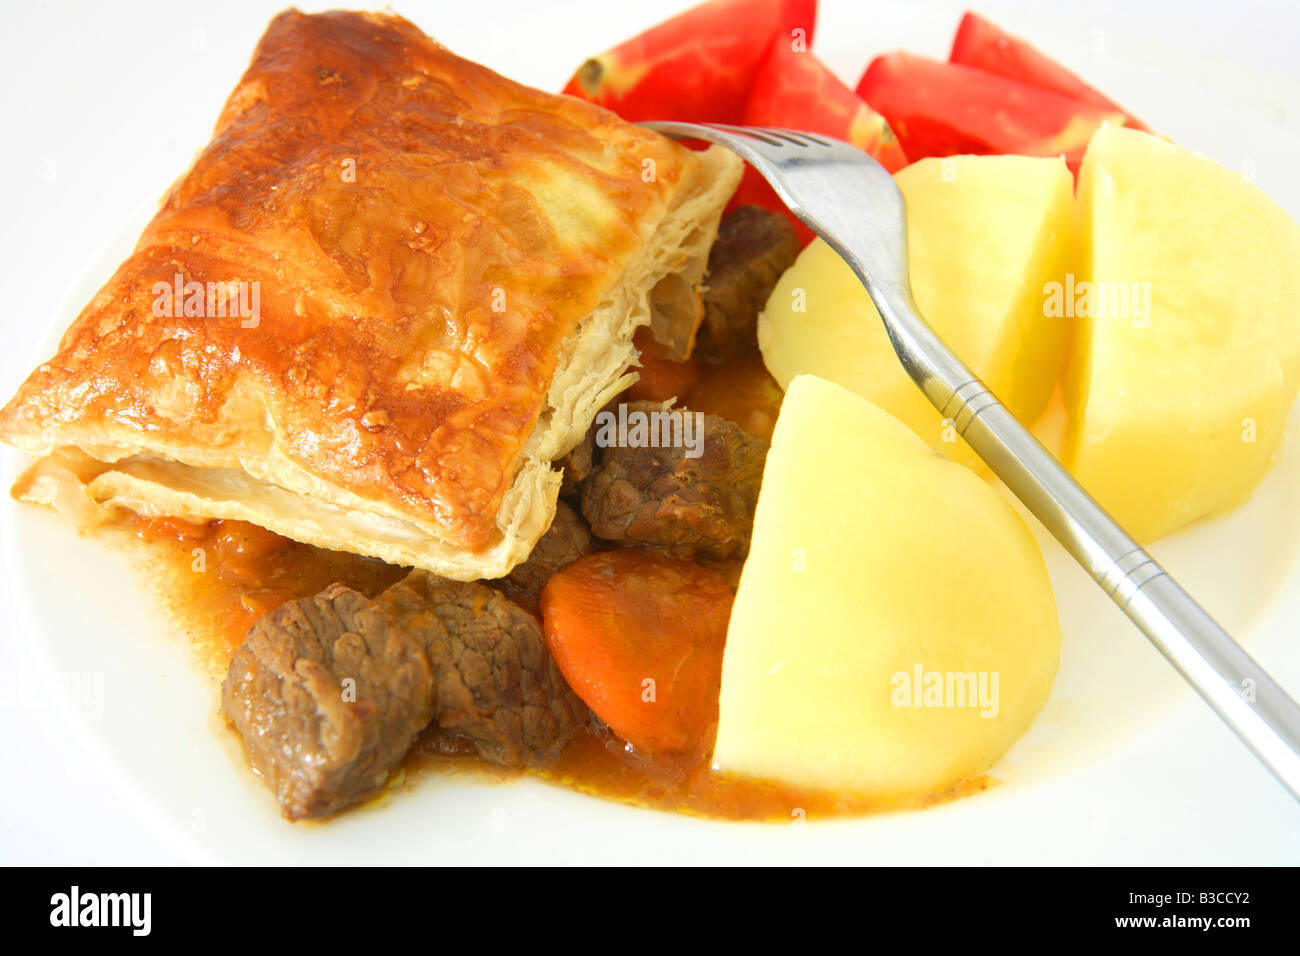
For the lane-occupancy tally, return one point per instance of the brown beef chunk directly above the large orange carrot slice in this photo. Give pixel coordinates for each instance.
(666, 499)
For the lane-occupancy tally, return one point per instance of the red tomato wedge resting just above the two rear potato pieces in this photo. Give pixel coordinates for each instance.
(942, 110)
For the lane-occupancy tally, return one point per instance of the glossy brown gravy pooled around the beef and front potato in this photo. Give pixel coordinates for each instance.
(219, 578)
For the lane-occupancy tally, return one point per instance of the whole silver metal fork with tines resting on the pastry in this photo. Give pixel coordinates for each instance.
(852, 202)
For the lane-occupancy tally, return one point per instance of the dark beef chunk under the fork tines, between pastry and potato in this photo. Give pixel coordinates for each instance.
(752, 250)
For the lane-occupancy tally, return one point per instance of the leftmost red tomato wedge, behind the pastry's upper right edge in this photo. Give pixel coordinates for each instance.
(696, 67)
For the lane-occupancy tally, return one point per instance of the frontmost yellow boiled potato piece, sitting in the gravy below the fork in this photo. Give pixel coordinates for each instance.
(895, 630)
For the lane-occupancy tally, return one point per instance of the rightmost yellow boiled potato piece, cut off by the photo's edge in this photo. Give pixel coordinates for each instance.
(1188, 351)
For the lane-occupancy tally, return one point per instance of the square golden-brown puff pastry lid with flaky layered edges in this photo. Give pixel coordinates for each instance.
(391, 292)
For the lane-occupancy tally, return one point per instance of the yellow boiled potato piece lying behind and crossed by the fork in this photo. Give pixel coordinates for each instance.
(986, 236)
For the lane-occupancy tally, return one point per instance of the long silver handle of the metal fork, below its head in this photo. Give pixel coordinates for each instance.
(1230, 681)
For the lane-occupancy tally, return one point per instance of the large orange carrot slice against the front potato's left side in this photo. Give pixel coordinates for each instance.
(640, 638)
